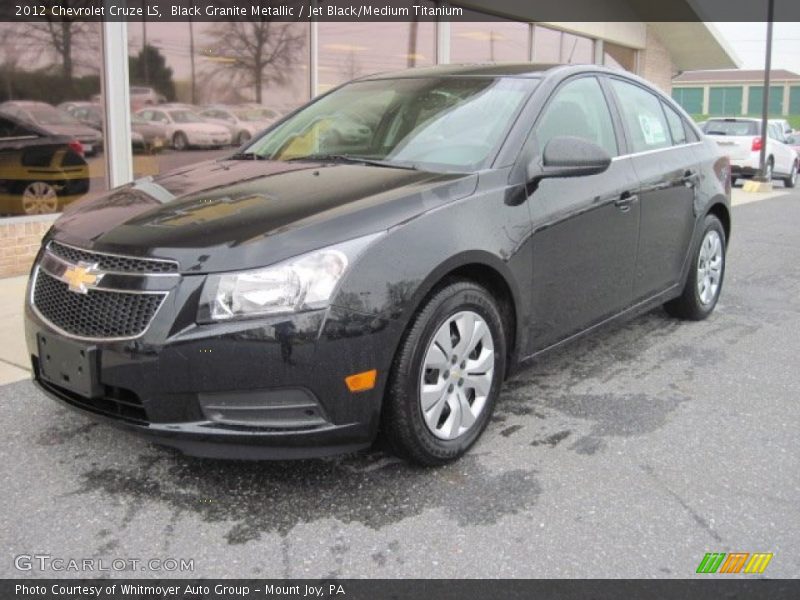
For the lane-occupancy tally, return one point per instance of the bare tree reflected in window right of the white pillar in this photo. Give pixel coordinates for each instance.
(255, 53)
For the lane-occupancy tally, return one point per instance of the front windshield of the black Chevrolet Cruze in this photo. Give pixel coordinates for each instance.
(450, 123)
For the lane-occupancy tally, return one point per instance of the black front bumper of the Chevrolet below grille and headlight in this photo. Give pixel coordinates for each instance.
(269, 388)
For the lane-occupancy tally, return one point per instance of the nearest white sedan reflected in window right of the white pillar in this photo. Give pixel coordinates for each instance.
(186, 129)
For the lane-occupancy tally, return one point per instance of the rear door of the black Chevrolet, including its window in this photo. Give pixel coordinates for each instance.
(667, 171)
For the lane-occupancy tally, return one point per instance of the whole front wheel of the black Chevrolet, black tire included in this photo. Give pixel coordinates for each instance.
(461, 401)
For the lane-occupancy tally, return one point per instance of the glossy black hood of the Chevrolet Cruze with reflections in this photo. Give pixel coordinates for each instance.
(238, 214)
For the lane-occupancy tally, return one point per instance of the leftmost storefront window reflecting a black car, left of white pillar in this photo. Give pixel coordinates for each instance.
(51, 154)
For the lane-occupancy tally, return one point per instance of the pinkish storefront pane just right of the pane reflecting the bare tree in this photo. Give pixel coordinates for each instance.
(349, 50)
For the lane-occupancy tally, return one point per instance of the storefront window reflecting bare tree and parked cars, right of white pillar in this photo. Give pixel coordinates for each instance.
(198, 89)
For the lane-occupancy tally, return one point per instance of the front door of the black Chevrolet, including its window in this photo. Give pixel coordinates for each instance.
(585, 228)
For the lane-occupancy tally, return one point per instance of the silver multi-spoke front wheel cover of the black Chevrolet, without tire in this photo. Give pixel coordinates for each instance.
(457, 375)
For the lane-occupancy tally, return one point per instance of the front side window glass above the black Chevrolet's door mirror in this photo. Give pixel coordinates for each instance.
(578, 109)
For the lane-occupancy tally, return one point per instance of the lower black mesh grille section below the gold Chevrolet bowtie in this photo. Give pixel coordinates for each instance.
(97, 314)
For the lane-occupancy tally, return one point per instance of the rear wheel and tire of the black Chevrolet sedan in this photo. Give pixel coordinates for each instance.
(704, 283)
